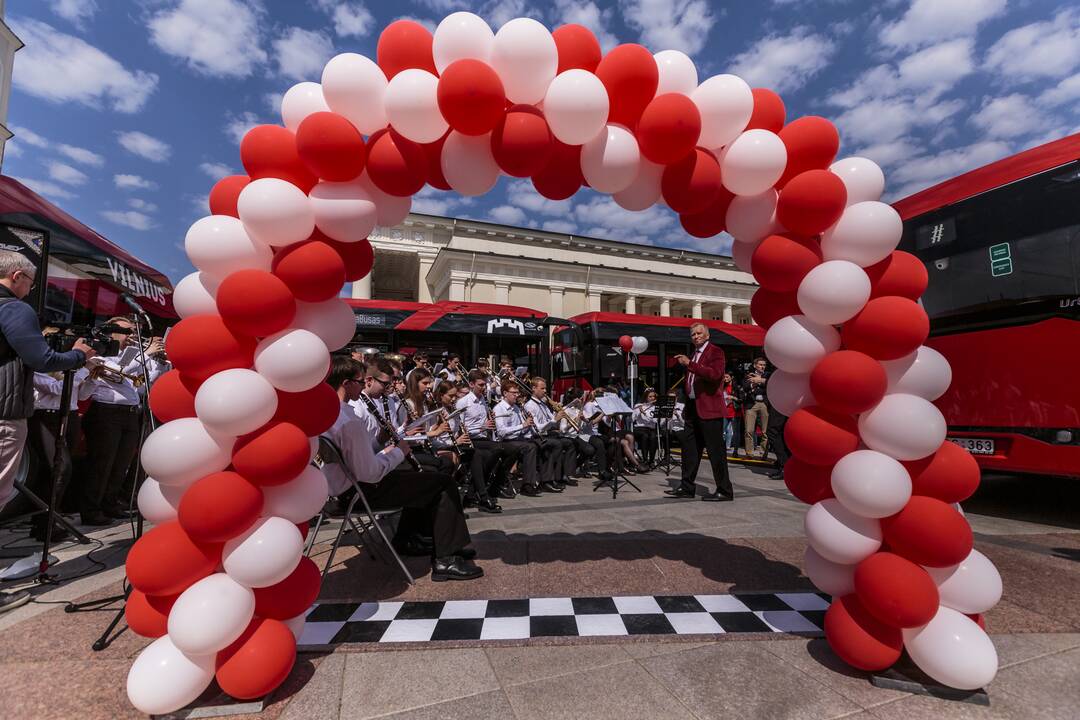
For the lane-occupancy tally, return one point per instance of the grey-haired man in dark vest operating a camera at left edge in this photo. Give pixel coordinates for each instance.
(23, 350)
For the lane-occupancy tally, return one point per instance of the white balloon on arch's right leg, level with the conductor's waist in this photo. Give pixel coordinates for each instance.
(903, 427)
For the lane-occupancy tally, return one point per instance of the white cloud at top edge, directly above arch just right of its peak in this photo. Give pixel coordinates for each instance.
(670, 24)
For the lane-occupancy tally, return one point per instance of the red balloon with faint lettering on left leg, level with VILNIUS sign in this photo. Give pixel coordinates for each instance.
(255, 303)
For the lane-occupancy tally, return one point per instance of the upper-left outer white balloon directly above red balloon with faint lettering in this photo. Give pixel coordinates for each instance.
(220, 246)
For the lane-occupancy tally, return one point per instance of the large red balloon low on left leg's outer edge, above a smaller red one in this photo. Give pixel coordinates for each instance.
(167, 561)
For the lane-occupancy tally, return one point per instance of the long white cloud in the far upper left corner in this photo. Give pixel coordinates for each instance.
(62, 69)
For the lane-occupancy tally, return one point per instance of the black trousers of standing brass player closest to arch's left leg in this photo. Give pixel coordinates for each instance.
(113, 434)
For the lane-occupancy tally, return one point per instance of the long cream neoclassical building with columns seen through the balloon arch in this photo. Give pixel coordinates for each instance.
(429, 259)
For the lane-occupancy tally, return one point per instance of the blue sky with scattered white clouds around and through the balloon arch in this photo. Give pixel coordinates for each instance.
(126, 112)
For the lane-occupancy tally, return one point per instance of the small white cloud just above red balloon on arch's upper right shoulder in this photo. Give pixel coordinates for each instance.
(785, 63)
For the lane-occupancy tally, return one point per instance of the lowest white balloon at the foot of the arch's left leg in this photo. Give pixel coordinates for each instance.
(163, 680)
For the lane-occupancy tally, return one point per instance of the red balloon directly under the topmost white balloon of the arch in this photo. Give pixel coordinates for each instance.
(471, 97)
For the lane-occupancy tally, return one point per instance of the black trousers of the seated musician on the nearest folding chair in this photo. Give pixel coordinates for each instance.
(430, 500)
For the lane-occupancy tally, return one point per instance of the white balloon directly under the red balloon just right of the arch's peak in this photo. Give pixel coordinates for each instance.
(576, 107)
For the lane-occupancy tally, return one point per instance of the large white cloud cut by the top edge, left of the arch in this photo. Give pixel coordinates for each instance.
(219, 38)
